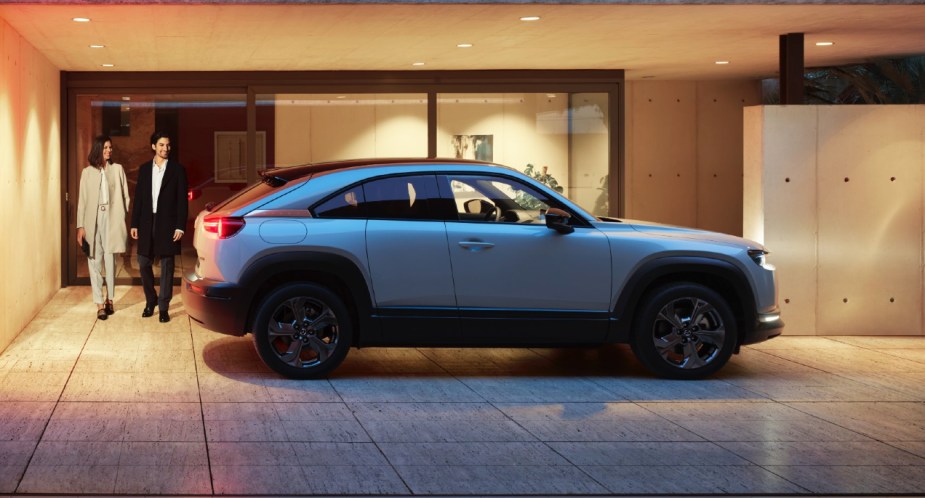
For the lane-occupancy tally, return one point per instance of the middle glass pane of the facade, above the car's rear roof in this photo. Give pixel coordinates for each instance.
(329, 127)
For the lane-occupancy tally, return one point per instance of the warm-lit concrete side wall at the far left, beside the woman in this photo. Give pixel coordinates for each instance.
(30, 182)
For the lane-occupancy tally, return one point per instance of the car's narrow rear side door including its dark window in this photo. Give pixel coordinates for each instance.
(409, 263)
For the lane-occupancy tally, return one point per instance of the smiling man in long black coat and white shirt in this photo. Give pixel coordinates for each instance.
(158, 220)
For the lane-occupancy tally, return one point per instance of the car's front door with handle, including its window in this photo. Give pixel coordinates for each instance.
(516, 280)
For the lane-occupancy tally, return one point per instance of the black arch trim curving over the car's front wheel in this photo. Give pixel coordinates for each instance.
(720, 275)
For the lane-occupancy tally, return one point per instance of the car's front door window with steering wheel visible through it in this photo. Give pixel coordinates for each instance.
(496, 199)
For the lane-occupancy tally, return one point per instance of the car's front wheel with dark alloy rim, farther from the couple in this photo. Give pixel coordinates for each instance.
(684, 331)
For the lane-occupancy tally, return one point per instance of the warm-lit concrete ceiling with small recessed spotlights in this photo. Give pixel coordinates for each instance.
(667, 41)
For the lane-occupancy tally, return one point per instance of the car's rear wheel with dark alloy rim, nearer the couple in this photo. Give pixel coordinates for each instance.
(289, 338)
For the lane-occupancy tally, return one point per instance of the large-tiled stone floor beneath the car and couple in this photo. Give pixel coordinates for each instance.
(133, 406)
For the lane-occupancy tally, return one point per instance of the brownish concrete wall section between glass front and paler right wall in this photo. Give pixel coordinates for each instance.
(684, 152)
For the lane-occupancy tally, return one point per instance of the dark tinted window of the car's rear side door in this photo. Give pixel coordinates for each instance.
(402, 198)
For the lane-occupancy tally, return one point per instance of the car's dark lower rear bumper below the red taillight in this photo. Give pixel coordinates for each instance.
(218, 306)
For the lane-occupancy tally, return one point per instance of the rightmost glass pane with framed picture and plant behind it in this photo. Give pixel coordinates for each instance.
(560, 138)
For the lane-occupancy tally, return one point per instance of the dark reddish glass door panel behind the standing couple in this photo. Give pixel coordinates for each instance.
(208, 137)
